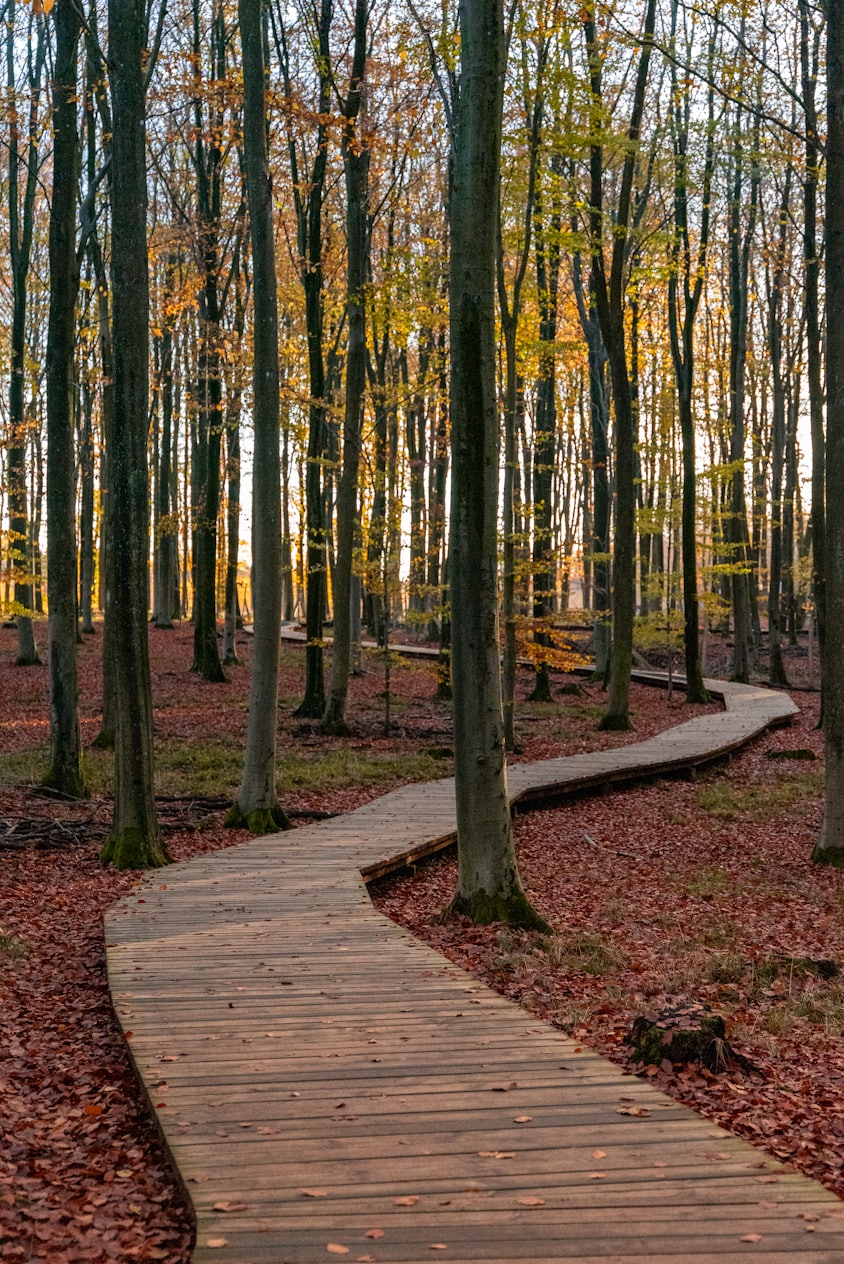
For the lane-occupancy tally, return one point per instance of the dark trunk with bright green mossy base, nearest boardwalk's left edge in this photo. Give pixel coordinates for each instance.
(135, 840)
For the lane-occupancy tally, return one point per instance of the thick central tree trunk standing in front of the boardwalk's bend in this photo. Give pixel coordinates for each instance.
(488, 887)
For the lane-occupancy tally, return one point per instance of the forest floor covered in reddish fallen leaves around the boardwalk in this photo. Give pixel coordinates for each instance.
(660, 897)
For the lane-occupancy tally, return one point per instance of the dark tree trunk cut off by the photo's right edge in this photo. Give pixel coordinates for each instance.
(831, 845)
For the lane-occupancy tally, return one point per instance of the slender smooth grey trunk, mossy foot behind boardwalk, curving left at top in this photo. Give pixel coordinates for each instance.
(257, 805)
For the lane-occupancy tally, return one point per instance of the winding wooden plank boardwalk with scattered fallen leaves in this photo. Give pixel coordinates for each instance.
(329, 1086)
